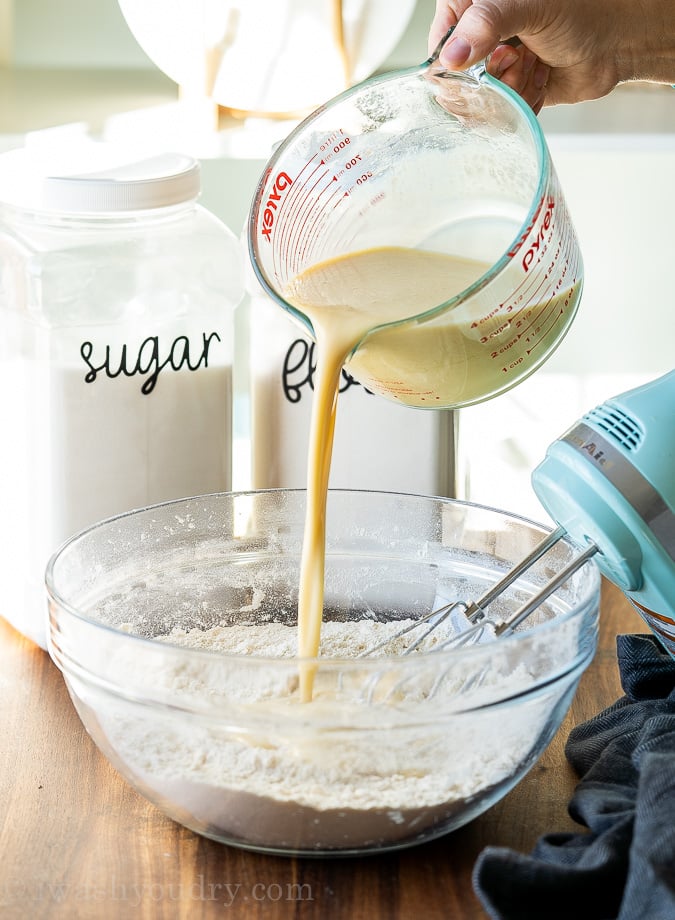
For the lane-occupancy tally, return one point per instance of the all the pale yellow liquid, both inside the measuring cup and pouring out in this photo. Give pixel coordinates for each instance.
(448, 360)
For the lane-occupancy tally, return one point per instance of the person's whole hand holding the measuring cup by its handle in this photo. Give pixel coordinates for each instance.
(570, 50)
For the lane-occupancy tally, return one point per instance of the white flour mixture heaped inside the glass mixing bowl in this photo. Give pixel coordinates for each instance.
(368, 763)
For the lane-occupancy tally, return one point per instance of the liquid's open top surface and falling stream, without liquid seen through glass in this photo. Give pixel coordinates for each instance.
(345, 298)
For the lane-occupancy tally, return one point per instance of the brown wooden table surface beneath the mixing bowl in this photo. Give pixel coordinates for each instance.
(77, 842)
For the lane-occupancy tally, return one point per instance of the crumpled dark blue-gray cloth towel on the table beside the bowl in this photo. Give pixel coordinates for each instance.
(622, 866)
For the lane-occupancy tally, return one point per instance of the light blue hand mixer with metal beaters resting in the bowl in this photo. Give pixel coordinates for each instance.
(609, 484)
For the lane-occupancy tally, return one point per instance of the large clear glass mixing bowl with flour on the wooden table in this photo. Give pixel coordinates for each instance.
(157, 619)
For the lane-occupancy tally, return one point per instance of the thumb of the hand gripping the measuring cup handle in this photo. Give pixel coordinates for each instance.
(479, 30)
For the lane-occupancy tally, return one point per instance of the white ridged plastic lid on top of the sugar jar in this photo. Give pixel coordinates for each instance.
(96, 178)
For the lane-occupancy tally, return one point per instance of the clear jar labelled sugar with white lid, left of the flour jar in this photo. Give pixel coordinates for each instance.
(117, 294)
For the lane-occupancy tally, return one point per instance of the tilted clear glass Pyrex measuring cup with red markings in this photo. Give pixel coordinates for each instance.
(446, 162)
